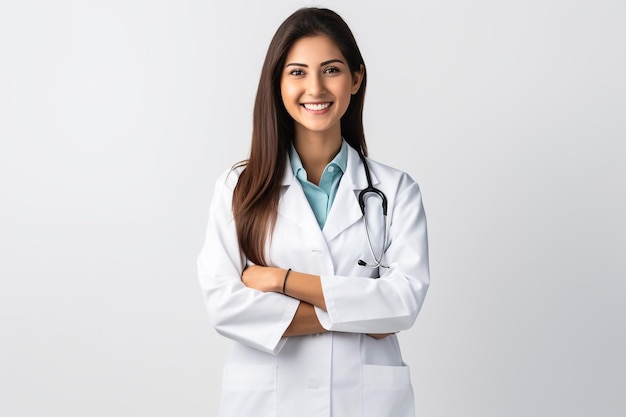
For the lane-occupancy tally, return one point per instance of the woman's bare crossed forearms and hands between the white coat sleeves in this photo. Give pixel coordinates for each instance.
(305, 287)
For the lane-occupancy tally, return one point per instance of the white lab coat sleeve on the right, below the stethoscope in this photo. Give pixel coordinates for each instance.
(388, 304)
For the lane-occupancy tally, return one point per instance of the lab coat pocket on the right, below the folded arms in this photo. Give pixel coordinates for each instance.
(386, 391)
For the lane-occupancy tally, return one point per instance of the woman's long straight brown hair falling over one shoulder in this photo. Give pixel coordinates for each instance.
(255, 198)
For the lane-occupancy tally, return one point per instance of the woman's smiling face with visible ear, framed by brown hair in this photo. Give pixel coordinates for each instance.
(316, 86)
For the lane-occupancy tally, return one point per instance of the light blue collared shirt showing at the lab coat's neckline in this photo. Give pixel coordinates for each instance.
(321, 197)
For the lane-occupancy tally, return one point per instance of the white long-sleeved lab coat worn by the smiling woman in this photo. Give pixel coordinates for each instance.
(342, 373)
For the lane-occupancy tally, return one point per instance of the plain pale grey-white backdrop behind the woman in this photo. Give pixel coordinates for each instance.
(117, 116)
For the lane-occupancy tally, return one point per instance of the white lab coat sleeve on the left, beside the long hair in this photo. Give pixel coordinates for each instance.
(248, 316)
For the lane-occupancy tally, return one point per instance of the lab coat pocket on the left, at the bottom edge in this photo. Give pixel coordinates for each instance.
(248, 390)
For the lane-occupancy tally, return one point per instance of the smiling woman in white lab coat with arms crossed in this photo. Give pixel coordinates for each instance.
(311, 298)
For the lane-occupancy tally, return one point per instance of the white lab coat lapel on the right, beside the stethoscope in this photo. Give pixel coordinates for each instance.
(345, 210)
